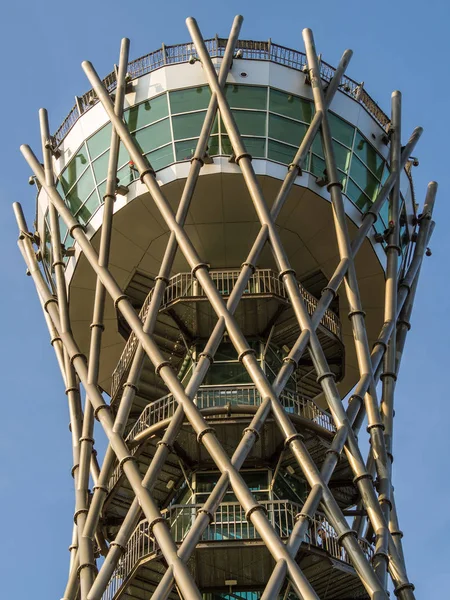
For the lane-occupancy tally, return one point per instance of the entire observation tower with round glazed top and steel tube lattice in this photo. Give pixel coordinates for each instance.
(226, 248)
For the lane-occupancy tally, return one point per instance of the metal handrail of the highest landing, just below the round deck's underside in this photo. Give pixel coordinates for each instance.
(184, 285)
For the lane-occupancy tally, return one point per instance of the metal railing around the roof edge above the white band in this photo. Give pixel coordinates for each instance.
(251, 50)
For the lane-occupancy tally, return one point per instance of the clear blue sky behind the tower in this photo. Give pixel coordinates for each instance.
(397, 45)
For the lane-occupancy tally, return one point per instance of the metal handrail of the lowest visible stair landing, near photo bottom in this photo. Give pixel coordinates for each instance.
(230, 524)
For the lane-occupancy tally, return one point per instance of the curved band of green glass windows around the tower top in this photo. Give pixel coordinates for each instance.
(272, 123)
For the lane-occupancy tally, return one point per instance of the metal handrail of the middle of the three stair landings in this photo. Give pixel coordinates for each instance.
(208, 397)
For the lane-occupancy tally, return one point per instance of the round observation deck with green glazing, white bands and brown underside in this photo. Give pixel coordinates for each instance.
(271, 101)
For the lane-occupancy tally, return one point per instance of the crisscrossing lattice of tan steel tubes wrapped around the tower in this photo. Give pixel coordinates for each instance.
(371, 548)
